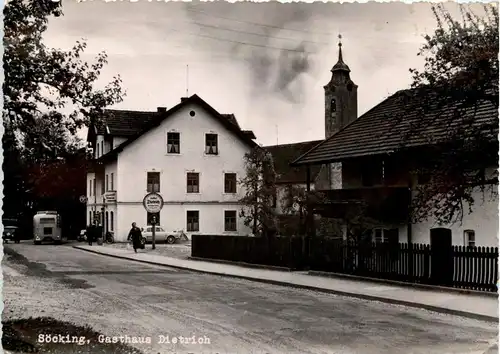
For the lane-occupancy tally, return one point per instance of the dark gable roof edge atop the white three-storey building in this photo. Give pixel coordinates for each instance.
(227, 120)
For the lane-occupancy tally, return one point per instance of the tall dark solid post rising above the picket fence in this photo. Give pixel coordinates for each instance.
(441, 257)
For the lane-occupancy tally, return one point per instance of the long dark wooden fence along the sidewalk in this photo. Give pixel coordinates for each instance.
(474, 268)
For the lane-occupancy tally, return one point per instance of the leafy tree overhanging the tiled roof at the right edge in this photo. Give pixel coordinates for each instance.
(459, 79)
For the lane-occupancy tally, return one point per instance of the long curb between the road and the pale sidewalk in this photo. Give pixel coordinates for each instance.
(438, 309)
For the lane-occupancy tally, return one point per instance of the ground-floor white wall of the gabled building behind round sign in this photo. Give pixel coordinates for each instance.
(174, 217)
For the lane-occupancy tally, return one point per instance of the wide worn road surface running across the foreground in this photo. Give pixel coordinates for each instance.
(120, 297)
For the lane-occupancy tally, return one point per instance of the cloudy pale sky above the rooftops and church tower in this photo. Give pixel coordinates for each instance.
(265, 62)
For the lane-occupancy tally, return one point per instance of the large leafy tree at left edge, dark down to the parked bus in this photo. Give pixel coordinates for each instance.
(40, 84)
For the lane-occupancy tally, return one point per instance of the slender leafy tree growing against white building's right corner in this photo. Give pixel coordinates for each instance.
(259, 185)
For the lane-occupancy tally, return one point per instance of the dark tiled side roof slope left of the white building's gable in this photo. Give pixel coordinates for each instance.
(125, 123)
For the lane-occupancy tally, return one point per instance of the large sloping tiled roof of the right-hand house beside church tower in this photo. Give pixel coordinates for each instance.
(385, 128)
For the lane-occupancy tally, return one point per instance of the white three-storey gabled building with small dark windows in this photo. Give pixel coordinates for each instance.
(190, 154)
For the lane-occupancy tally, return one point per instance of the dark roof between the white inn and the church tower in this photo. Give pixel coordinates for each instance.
(283, 155)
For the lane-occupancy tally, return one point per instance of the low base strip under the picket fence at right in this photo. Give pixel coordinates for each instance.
(404, 284)
